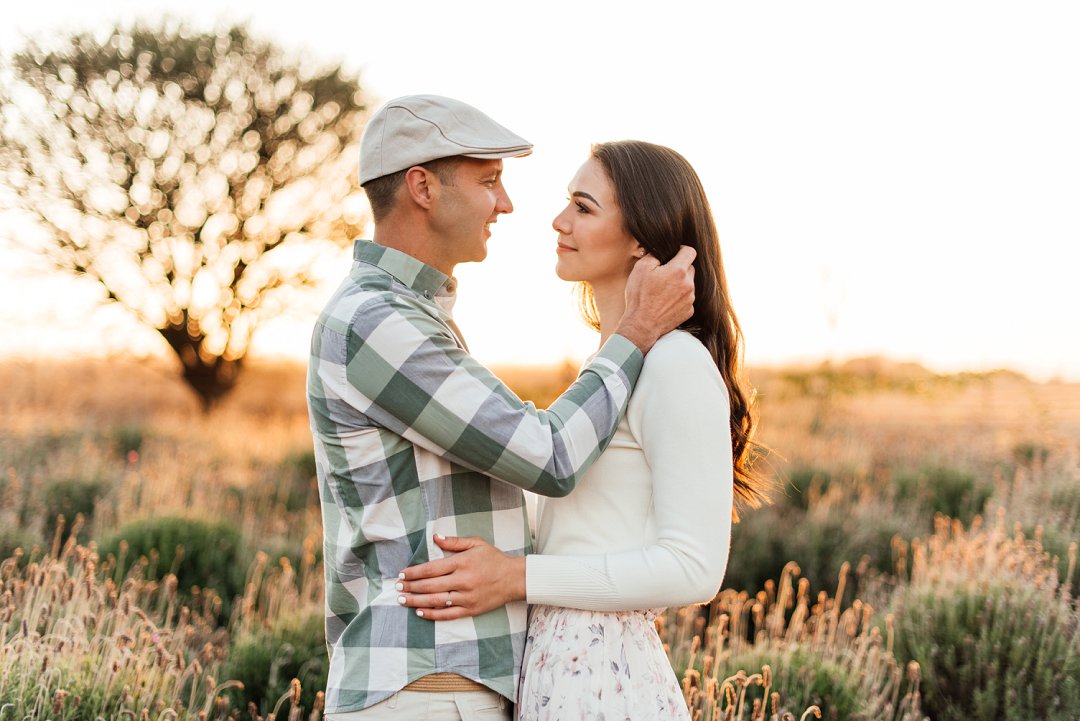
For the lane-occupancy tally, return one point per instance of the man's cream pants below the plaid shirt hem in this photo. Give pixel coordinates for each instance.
(426, 706)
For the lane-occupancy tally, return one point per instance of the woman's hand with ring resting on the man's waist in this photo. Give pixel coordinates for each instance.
(477, 579)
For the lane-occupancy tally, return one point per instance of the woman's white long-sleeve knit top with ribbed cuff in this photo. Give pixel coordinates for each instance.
(650, 524)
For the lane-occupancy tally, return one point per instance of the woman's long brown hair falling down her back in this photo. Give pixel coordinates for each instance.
(665, 207)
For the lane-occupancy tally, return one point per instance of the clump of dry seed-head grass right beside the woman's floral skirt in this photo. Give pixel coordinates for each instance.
(813, 654)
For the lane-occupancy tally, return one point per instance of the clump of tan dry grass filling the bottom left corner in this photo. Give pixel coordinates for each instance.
(78, 645)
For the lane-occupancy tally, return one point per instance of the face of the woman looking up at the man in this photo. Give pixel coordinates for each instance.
(593, 243)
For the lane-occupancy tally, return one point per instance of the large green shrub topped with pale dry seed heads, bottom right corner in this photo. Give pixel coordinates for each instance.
(994, 636)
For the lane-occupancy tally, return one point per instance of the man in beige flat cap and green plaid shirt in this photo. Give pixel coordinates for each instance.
(414, 438)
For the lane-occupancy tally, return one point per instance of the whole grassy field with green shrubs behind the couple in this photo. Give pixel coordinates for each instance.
(919, 561)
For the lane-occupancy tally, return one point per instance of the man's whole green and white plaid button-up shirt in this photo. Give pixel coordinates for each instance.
(413, 437)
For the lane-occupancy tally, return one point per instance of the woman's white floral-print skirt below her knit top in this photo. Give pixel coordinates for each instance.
(601, 666)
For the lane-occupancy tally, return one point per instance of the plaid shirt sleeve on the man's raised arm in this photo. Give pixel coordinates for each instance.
(403, 370)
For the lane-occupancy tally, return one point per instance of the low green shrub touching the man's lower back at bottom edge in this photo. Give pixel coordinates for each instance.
(267, 662)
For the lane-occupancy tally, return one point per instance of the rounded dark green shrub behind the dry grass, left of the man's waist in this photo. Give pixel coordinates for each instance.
(204, 554)
